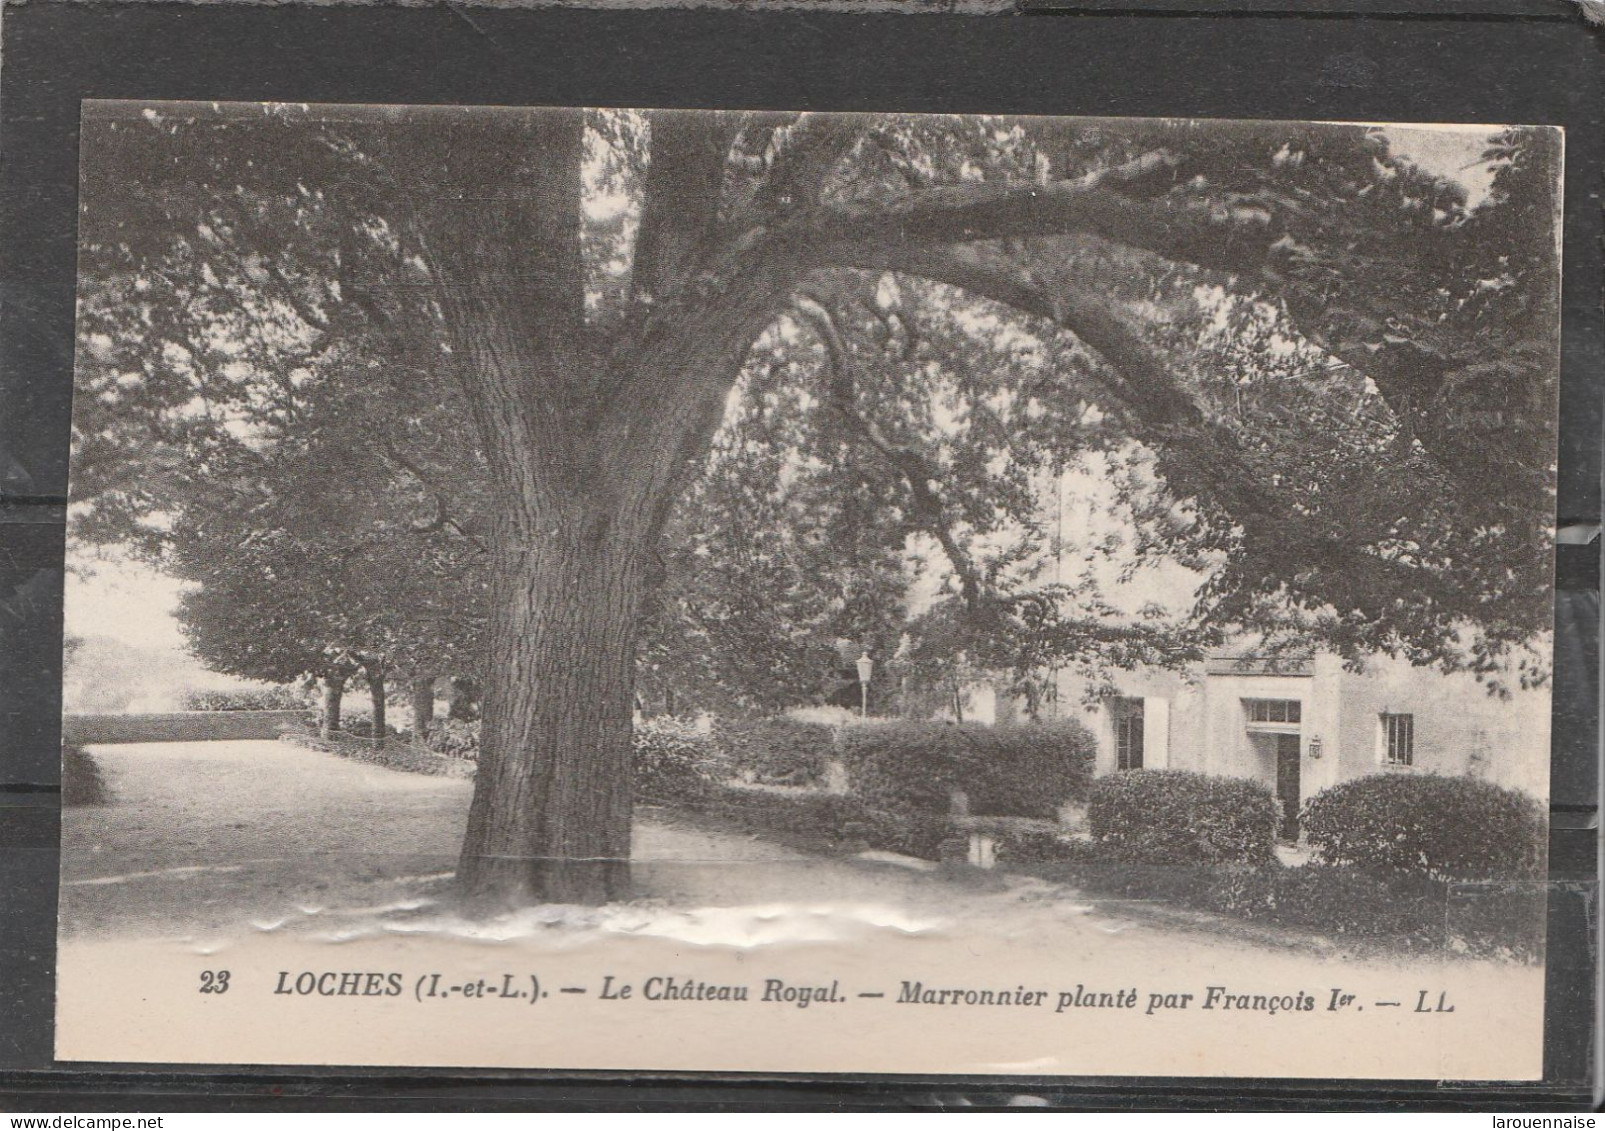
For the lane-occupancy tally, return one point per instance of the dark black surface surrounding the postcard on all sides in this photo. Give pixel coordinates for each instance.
(1529, 62)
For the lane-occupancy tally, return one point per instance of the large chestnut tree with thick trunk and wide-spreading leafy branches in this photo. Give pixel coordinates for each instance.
(591, 288)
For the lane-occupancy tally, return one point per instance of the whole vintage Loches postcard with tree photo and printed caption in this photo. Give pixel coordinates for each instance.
(810, 593)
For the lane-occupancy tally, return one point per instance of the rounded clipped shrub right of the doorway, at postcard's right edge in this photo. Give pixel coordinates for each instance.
(1429, 824)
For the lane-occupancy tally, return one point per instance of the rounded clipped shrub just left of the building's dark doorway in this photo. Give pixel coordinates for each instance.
(1174, 817)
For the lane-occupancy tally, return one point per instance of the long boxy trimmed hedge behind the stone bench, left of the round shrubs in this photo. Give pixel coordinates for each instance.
(1004, 771)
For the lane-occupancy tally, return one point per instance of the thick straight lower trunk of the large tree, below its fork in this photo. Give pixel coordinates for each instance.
(551, 814)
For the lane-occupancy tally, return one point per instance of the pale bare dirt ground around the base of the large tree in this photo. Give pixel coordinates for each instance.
(206, 838)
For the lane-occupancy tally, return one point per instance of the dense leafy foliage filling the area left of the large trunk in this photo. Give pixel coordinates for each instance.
(301, 460)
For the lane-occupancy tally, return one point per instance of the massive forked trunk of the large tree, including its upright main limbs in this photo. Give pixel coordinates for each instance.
(588, 440)
